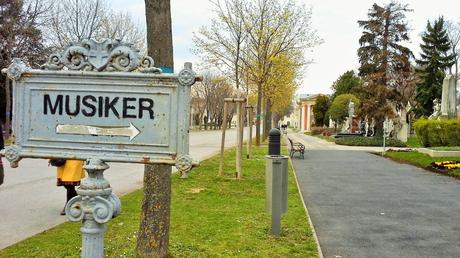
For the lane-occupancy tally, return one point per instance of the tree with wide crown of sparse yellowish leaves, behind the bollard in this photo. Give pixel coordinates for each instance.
(264, 29)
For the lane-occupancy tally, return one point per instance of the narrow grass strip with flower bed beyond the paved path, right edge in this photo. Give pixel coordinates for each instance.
(422, 160)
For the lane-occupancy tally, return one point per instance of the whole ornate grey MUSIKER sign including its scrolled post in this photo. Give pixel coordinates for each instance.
(100, 102)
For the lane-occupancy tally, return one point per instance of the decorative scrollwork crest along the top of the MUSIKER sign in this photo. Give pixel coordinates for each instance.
(108, 55)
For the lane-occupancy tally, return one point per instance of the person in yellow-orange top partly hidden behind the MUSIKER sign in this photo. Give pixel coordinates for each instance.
(69, 174)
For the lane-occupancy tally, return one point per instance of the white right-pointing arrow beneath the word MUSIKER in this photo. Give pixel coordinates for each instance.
(131, 131)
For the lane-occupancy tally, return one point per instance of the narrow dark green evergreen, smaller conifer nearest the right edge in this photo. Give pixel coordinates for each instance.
(433, 62)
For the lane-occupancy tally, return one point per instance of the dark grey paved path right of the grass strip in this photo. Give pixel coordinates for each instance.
(363, 205)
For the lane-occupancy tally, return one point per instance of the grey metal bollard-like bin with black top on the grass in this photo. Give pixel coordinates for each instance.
(276, 178)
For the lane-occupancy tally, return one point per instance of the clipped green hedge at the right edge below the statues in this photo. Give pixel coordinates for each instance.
(433, 133)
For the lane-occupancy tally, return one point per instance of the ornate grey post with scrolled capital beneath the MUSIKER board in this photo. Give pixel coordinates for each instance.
(95, 205)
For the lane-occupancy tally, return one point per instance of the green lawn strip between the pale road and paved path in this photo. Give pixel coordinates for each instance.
(211, 216)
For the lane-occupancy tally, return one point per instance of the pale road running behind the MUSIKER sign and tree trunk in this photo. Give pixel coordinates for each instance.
(30, 201)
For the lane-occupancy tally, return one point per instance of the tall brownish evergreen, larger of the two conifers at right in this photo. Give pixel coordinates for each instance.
(384, 59)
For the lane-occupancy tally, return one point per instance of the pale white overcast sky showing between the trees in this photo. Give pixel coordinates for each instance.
(334, 20)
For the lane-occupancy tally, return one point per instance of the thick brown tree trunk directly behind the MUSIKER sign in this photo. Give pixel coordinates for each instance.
(153, 238)
